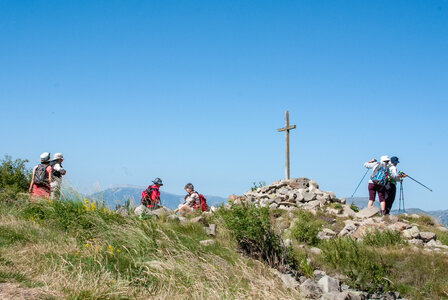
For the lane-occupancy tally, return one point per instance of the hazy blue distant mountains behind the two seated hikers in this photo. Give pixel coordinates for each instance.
(118, 194)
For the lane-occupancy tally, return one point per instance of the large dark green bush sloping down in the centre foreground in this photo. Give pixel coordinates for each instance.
(253, 232)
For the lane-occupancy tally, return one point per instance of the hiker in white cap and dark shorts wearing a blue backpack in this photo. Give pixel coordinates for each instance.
(377, 181)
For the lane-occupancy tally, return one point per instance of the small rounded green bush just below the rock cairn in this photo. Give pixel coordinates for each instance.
(306, 228)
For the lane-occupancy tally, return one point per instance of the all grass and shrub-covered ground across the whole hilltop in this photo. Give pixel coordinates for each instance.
(75, 249)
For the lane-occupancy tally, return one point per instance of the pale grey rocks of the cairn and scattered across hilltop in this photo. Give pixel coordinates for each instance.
(302, 193)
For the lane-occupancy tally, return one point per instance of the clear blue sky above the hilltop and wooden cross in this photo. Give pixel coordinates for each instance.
(195, 90)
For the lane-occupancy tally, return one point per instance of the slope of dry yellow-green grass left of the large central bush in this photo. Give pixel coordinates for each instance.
(77, 250)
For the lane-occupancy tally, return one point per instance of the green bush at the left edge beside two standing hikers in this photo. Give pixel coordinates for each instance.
(15, 177)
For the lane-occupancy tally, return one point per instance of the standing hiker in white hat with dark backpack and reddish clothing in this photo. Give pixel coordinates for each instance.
(41, 178)
